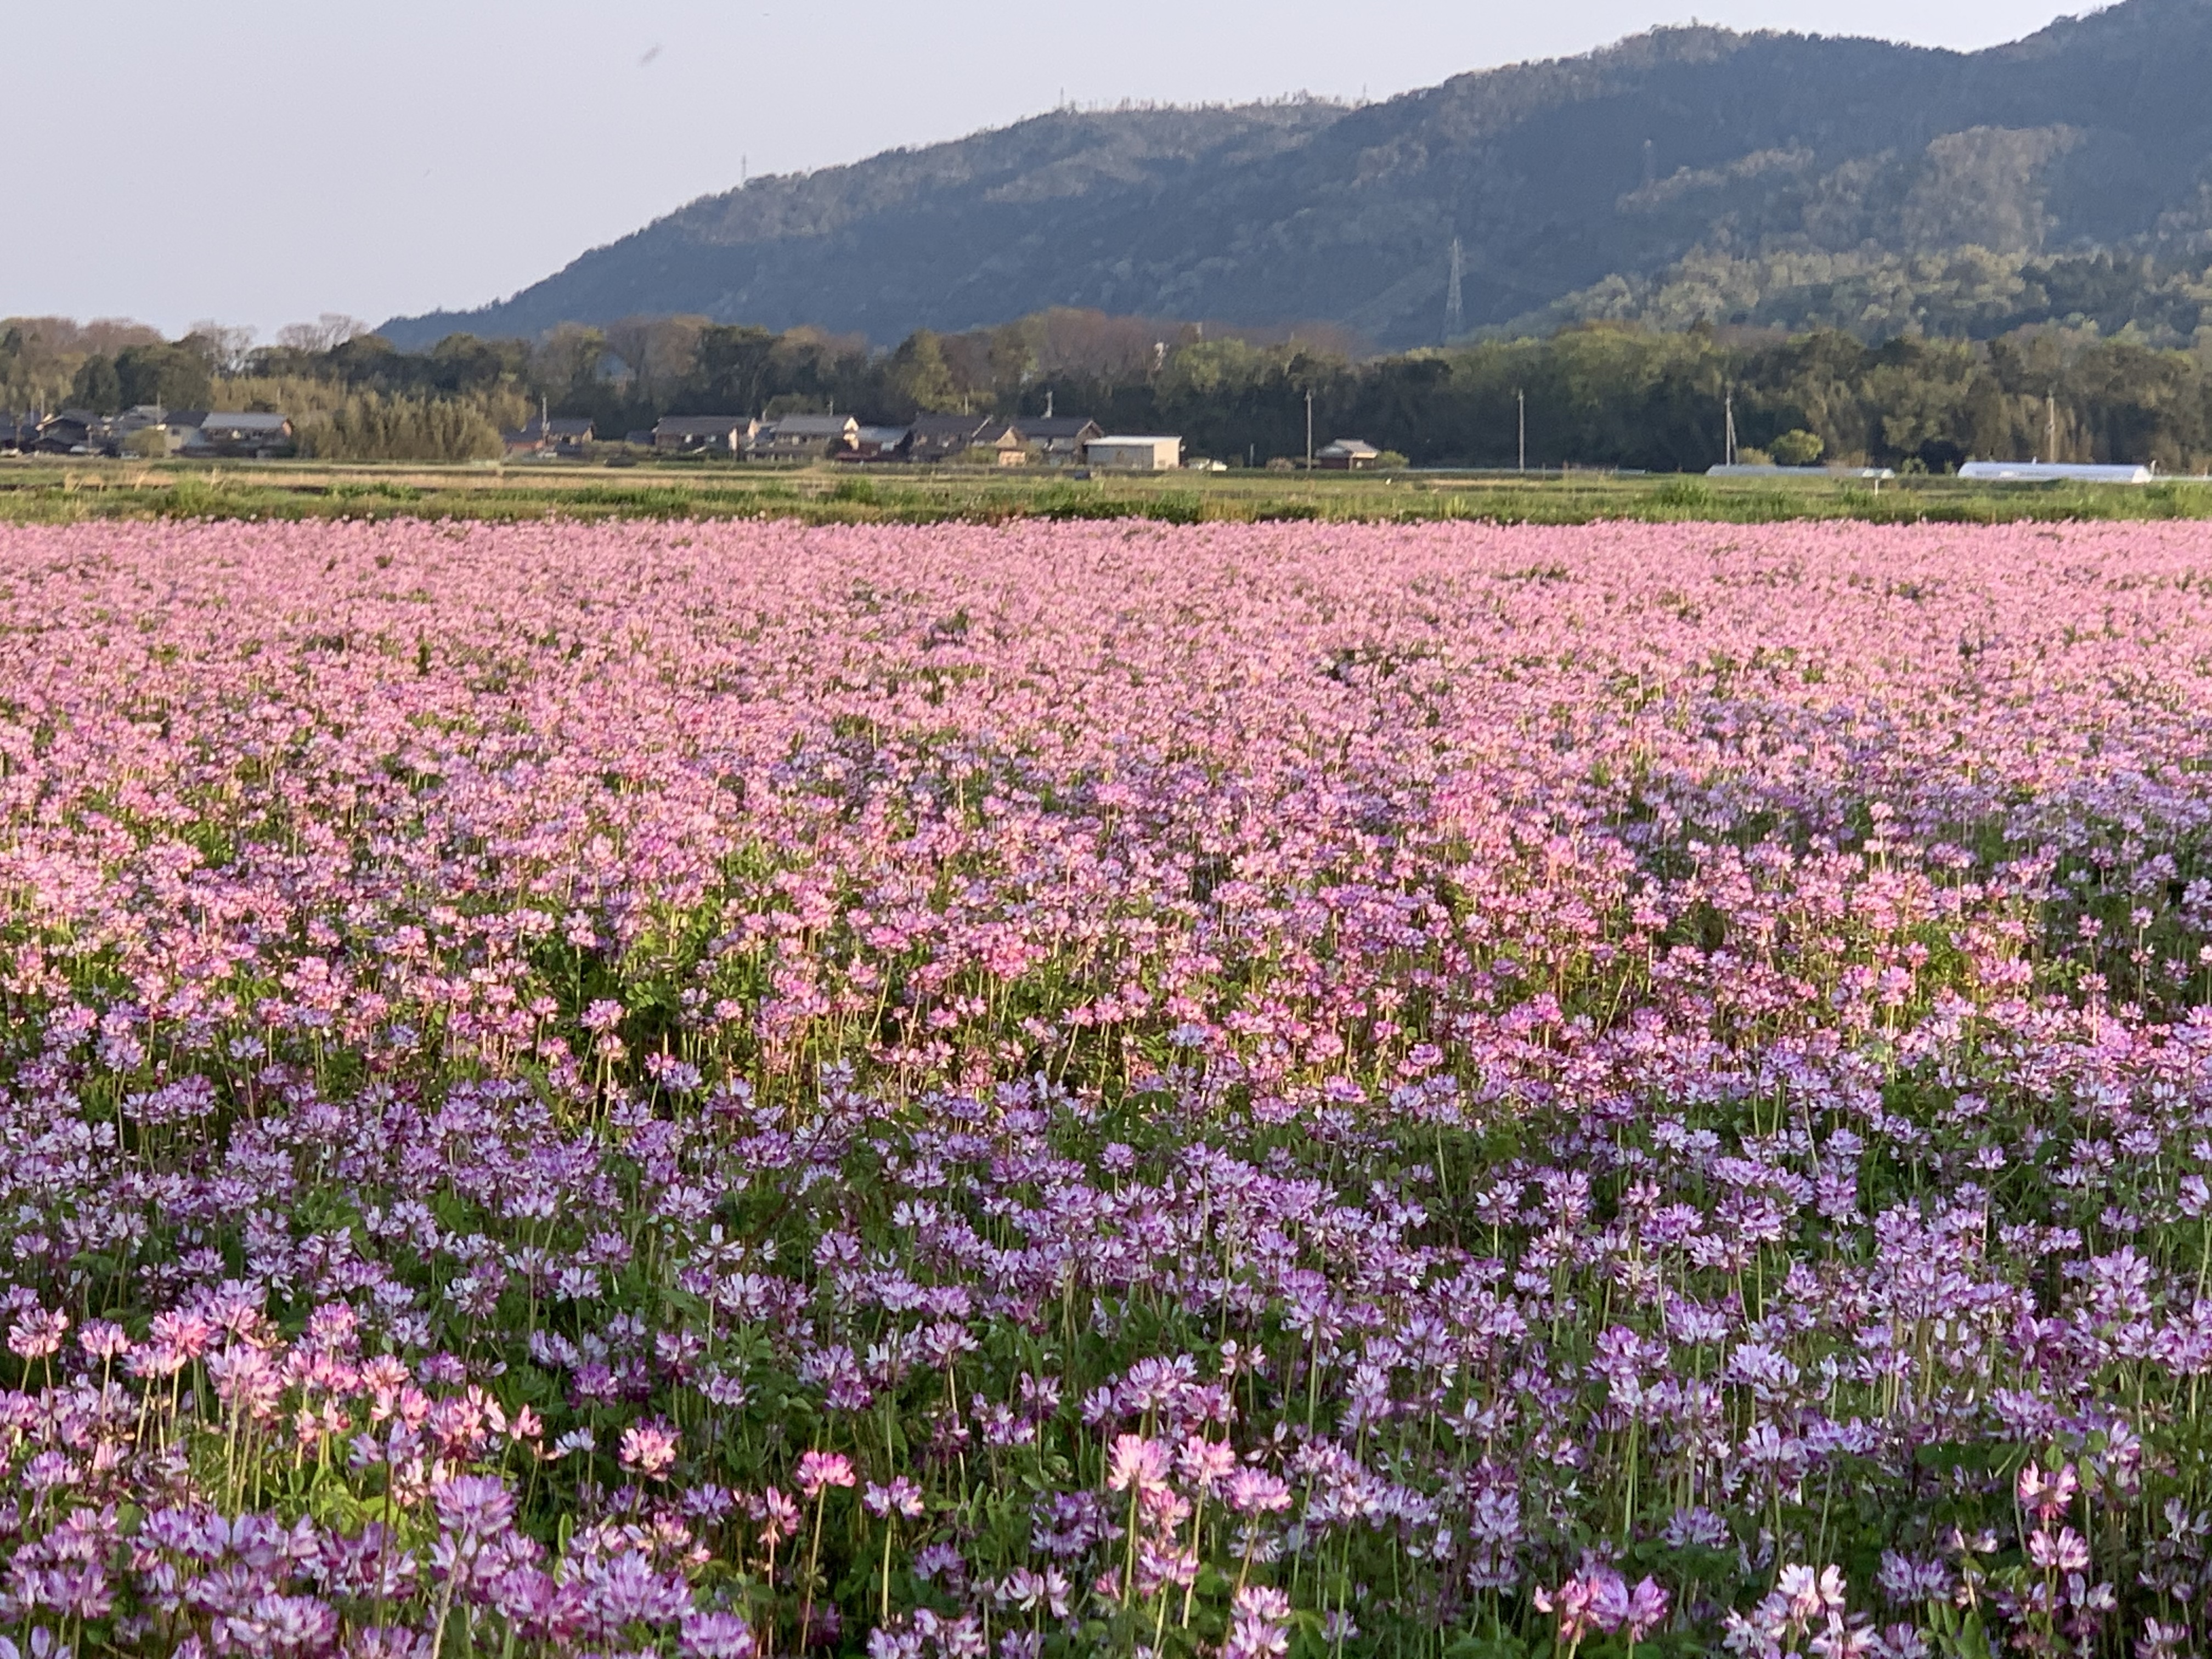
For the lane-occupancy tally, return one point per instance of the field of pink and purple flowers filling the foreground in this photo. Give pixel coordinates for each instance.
(1277, 1089)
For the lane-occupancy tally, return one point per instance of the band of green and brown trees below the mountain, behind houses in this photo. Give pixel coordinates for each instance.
(1600, 395)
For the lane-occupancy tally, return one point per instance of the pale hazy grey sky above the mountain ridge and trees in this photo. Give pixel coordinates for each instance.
(264, 165)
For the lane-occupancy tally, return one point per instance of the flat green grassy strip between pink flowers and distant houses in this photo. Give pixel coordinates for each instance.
(56, 492)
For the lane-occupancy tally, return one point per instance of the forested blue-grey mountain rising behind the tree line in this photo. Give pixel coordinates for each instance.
(1556, 178)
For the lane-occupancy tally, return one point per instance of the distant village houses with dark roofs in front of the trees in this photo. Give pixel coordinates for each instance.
(797, 439)
